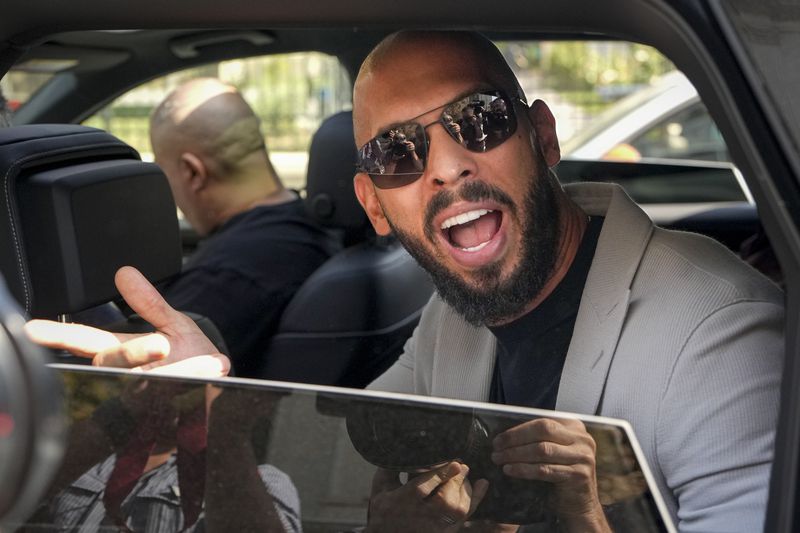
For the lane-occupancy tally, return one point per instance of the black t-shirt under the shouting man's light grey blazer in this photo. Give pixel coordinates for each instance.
(531, 350)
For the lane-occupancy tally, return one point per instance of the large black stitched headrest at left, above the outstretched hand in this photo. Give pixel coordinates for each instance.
(77, 204)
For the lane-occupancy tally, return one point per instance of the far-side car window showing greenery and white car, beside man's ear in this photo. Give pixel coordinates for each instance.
(616, 100)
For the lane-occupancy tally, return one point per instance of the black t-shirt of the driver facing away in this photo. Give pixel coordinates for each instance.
(244, 274)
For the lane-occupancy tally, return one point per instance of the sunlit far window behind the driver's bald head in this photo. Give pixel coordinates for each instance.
(291, 94)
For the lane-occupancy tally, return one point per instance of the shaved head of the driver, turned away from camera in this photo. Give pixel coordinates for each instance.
(207, 140)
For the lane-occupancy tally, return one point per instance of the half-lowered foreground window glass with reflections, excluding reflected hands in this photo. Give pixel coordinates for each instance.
(161, 454)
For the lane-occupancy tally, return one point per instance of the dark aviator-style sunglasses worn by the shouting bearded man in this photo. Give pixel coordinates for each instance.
(479, 122)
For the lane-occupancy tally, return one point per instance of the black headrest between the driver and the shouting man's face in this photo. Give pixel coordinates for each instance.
(330, 197)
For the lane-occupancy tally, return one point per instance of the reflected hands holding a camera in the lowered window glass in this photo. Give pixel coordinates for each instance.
(442, 499)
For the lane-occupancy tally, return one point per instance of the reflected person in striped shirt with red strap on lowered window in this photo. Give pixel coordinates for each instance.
(156, 477)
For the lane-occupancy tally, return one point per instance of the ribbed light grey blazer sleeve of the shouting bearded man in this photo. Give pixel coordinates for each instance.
(716, 421)
